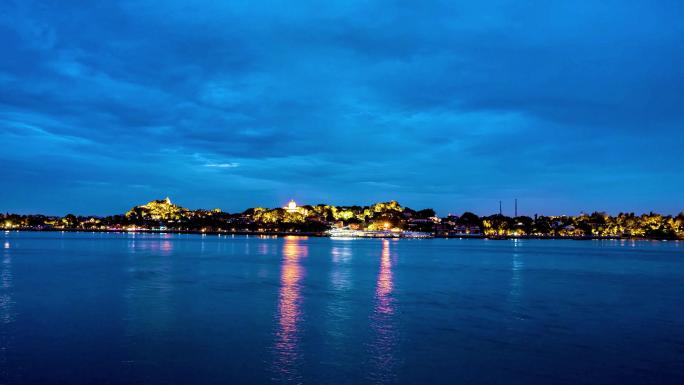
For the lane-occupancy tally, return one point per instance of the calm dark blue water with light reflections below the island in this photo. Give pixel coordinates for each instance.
(189, 309)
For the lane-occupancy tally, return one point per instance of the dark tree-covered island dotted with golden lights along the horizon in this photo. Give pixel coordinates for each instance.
(165, 216)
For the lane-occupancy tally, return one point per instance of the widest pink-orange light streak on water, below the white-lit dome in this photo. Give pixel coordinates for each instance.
(287, 337)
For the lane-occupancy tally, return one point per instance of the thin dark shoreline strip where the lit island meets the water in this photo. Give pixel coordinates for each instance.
(278, 234)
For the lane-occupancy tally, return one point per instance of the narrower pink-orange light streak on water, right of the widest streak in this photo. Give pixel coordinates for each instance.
(383, 347)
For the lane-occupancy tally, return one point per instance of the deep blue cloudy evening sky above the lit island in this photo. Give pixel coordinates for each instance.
(568, 106)
